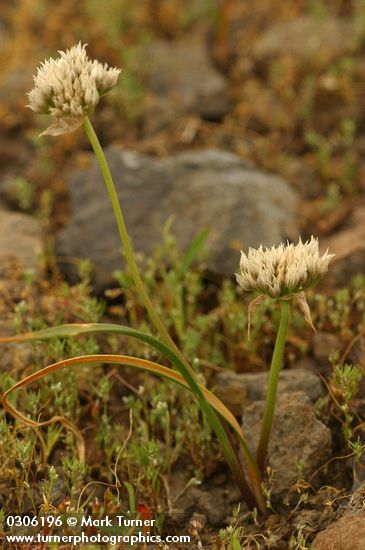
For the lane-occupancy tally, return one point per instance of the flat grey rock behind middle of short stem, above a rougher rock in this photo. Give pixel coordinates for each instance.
(239, 390)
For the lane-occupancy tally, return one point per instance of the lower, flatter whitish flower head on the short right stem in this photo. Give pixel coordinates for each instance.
(283, 270)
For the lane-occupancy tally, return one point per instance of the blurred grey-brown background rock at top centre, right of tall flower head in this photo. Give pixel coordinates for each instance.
(183, 79)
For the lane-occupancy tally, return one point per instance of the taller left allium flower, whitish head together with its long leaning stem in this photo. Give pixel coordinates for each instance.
(68, 89)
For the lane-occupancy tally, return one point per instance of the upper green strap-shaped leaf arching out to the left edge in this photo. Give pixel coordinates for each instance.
(210, 409)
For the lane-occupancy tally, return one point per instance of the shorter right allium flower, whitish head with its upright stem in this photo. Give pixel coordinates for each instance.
(282, 273)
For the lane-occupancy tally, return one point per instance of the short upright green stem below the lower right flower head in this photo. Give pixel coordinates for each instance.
(276, 364)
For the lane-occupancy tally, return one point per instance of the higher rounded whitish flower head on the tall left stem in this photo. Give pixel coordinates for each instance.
(69, 88)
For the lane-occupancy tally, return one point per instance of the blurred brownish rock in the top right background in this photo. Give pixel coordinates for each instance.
(309, 39)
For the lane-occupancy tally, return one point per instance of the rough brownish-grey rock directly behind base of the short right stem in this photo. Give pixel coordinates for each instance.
(298, 438)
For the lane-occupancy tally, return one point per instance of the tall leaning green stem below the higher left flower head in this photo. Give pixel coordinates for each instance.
(219, 428)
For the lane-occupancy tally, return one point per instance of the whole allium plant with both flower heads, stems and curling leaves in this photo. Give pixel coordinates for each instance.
(68, 89)
